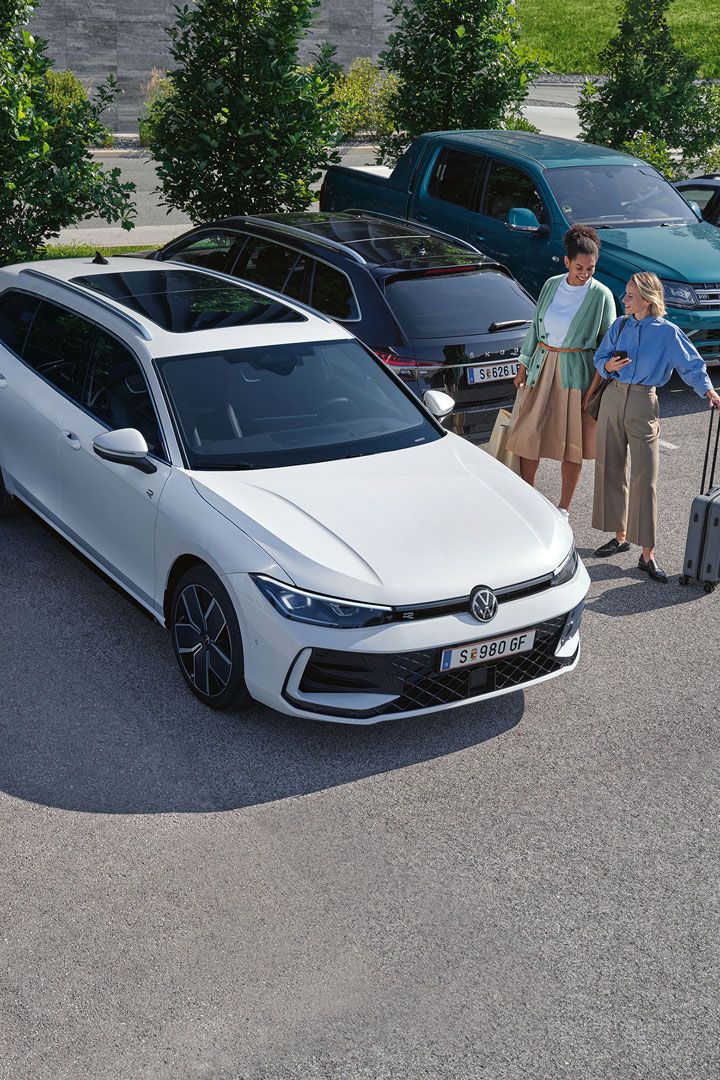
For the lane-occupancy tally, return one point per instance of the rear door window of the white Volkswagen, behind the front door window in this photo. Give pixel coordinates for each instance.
(59, 346)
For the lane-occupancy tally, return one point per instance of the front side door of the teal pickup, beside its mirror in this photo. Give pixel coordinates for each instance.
(529, 256)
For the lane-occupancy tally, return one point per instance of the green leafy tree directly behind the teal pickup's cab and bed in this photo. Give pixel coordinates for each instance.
(459, 66)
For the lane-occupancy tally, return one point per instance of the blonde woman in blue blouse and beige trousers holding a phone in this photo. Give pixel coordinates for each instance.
(637, 355)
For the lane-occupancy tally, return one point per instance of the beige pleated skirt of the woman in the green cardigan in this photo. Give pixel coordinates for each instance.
(551, 423)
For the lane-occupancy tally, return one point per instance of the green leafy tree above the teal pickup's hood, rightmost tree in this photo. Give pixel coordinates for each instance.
(651, 92)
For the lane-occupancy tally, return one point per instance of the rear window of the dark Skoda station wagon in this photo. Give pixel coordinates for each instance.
(439, 305)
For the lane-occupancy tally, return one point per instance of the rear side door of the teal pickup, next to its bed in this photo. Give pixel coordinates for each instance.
(447, 193)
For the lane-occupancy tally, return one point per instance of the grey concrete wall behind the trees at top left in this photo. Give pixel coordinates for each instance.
(127, 38)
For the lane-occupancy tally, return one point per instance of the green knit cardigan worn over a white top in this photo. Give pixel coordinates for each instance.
(586, 332)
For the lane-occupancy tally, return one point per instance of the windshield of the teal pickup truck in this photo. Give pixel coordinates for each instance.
(618, 197)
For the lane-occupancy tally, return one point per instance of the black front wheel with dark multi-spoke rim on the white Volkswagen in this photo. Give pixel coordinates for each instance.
(207, 640)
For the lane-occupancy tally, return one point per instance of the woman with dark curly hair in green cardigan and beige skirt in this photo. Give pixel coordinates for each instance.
(558, 371)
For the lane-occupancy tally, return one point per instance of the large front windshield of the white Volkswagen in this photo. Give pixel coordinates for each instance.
(290, 404)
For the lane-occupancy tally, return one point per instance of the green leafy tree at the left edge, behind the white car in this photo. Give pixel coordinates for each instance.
(48, 178)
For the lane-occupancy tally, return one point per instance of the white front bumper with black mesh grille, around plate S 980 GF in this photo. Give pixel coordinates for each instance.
(379, 673)
